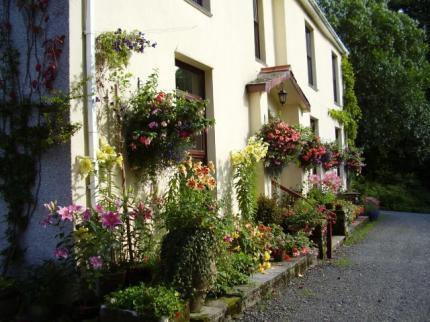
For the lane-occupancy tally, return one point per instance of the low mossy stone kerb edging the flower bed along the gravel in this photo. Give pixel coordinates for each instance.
(262, 284)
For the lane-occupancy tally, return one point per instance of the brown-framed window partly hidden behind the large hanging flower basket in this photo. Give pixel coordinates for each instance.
(192, 81)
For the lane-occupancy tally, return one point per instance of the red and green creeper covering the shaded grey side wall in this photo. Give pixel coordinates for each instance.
(34, 115)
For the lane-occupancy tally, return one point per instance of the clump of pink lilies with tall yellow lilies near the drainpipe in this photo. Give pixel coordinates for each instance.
(103, 238)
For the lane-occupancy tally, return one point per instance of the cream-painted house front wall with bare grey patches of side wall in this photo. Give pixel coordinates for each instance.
(218, 38)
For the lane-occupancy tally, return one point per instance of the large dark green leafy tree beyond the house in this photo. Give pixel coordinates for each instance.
(388, 52)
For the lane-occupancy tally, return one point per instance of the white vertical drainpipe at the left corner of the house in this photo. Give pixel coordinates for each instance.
(93, 137)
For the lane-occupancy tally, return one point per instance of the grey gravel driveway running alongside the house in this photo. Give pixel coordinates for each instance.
(385, 277)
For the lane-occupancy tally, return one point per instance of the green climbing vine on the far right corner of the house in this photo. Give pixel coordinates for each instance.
(351, 113)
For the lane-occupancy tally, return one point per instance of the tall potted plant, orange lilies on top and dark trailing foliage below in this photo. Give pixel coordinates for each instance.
(189, 249)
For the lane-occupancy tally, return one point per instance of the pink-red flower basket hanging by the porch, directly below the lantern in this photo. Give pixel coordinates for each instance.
(283, 141)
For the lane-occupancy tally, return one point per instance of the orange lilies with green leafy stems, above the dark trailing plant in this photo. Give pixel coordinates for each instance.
(189, 200)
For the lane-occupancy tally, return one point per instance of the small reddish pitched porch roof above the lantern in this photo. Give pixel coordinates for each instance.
(270, 77)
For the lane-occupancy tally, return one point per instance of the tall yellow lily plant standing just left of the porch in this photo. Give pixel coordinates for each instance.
(244, 166)
